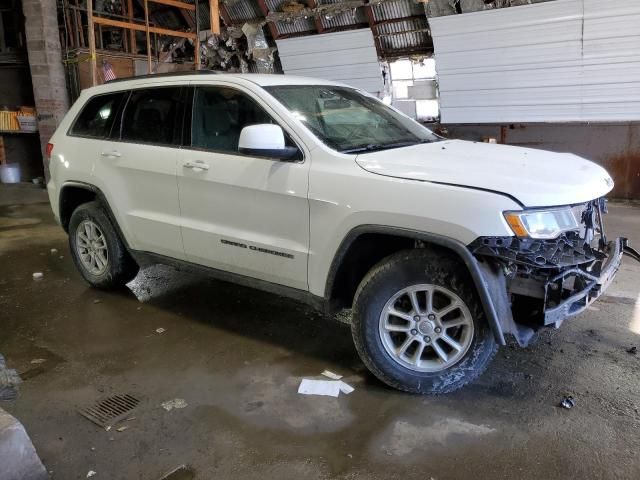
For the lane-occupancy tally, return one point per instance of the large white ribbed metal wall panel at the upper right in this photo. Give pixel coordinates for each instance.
(561, 61)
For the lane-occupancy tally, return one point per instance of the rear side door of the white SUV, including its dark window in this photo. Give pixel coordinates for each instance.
(137, 167)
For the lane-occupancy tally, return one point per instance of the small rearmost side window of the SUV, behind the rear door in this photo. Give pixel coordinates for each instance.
(97, 116)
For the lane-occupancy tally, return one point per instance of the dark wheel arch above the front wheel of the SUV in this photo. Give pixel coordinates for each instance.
(401, 238)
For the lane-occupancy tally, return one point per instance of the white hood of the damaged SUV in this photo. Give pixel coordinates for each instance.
(536, 178)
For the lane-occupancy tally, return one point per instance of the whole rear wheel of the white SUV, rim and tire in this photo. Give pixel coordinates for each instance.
(97, 250)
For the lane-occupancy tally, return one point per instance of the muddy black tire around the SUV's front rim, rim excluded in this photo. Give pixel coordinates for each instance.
(386, 279)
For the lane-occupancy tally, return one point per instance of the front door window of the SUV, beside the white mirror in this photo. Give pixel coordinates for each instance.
(220, 114)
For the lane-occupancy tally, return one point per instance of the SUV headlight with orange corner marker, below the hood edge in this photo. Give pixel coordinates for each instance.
(542, 224)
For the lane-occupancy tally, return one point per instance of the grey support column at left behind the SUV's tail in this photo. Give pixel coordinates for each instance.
(47, 71)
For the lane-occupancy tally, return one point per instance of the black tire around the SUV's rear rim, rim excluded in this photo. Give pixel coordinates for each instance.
(120, 268)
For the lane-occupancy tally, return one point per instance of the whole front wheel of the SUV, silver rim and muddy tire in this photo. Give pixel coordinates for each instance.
(418, 324)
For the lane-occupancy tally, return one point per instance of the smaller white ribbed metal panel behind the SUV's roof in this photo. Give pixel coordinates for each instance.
(349, 57)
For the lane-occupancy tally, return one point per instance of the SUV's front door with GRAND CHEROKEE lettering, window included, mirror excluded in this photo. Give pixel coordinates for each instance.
(241, 214)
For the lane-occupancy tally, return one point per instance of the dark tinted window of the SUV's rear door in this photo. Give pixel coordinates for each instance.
(152, 116)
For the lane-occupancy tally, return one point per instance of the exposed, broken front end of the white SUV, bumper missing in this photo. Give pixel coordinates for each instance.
(547, 281)
